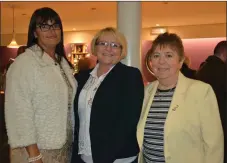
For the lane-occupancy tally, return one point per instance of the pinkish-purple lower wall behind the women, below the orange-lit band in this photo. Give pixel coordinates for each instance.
(196, 49)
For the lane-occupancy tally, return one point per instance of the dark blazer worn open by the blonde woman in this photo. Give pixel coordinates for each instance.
(115, 113)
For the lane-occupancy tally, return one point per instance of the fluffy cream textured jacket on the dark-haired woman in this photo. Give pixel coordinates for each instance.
(36, 101)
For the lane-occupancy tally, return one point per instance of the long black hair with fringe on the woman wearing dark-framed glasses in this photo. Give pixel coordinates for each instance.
(41, 16)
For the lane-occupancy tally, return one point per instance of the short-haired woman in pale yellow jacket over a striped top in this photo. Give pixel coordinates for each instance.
(180, 121)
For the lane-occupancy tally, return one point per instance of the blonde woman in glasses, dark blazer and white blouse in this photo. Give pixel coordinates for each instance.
(107, 104)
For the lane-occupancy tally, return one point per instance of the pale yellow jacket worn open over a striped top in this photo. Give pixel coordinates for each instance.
(192, 131)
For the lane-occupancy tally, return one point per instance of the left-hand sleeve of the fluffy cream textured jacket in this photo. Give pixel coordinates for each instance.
(19, 112)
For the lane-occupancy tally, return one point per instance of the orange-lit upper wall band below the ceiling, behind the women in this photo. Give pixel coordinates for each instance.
(197, 31)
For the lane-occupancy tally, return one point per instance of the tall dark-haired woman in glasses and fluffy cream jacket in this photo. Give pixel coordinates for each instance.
(40, 89)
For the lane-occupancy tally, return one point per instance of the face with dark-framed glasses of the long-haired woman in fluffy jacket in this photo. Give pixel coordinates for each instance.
(48, 34)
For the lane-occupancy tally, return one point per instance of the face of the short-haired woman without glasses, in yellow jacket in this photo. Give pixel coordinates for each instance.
(165, 62)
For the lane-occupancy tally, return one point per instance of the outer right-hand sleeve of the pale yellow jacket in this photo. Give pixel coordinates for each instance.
(211, 128)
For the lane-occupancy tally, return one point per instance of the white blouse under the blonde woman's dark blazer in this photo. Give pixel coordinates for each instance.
(84, 110)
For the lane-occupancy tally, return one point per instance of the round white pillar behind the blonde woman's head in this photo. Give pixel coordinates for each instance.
(130, 24)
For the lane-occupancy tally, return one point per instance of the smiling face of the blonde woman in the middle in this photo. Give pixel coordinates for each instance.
(108, 49)
